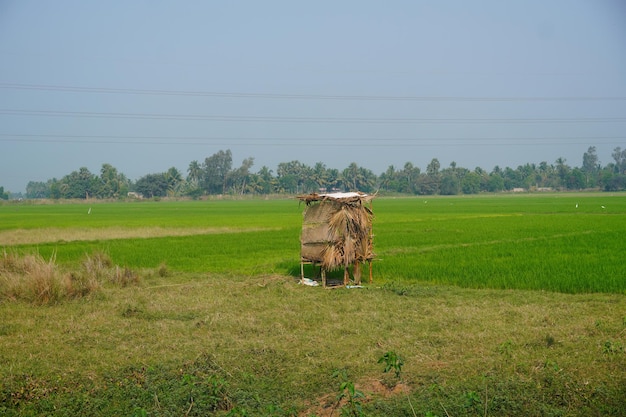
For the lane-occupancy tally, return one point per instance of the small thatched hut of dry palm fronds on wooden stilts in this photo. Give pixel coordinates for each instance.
(337, 233)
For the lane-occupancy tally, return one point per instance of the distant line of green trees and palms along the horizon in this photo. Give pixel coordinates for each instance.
(216, 175)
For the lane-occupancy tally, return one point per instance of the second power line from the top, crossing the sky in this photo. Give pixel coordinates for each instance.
(284, 119)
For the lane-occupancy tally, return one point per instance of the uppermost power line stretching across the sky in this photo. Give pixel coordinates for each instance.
(279, 96)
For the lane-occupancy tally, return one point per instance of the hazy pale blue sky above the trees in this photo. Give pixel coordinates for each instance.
(148, 85)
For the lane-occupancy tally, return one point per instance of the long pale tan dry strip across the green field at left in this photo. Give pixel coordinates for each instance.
(51, 234)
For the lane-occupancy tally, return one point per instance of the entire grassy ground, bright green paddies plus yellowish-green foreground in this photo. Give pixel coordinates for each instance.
(498, 305)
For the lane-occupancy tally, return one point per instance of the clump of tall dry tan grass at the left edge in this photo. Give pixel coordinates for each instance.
(37, 280)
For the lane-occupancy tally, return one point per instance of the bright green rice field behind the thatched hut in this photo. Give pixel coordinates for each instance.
(572, 243)
